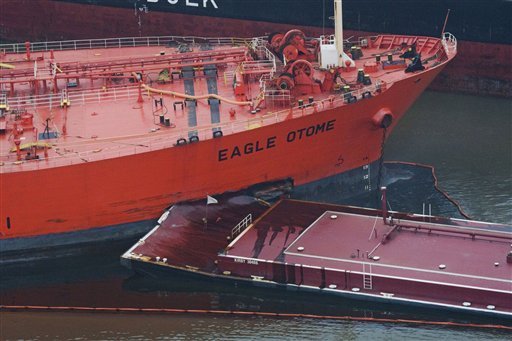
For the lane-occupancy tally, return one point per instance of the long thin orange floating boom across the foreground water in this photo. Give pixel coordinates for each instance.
(249, 313)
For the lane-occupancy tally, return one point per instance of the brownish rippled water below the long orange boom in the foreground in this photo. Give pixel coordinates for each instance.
(161, 327)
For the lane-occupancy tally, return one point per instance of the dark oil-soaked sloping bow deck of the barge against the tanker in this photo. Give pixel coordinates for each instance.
(190, 235)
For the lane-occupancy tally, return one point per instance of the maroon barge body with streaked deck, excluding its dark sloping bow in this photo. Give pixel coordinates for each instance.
(335, 248)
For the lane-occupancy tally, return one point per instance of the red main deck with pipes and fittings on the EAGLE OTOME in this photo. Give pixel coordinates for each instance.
(82, 101)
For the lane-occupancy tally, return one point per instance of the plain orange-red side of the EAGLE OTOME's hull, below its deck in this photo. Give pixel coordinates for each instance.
(137, 187)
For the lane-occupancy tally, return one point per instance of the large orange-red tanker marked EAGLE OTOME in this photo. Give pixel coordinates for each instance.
(99, 136)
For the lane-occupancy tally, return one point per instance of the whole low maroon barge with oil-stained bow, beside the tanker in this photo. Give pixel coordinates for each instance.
(338, 250)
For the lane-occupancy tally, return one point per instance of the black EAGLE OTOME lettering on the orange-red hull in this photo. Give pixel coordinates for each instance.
(271, 142)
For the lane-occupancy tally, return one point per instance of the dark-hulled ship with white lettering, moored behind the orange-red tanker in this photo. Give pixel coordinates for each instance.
(482, 27)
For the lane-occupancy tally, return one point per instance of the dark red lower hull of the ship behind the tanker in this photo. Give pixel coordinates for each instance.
(481, 68)
